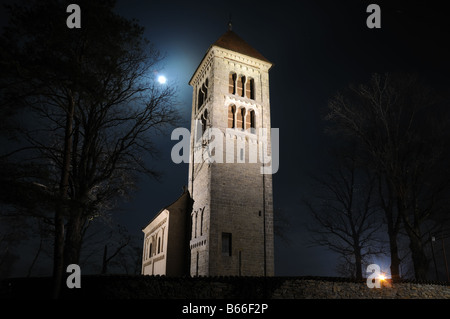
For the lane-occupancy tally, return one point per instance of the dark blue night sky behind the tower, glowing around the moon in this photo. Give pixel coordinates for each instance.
(317, 48)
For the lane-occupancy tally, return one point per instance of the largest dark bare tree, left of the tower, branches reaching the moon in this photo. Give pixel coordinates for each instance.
(92, 106)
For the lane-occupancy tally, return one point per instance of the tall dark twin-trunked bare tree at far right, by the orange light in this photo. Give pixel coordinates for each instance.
(403, 129)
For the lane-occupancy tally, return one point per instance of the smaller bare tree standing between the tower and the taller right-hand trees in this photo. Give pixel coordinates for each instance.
(345, 214)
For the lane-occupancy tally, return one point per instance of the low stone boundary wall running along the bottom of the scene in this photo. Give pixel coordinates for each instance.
(161, 287)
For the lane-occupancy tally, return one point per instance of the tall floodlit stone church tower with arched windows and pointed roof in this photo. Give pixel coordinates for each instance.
(232, 214)
